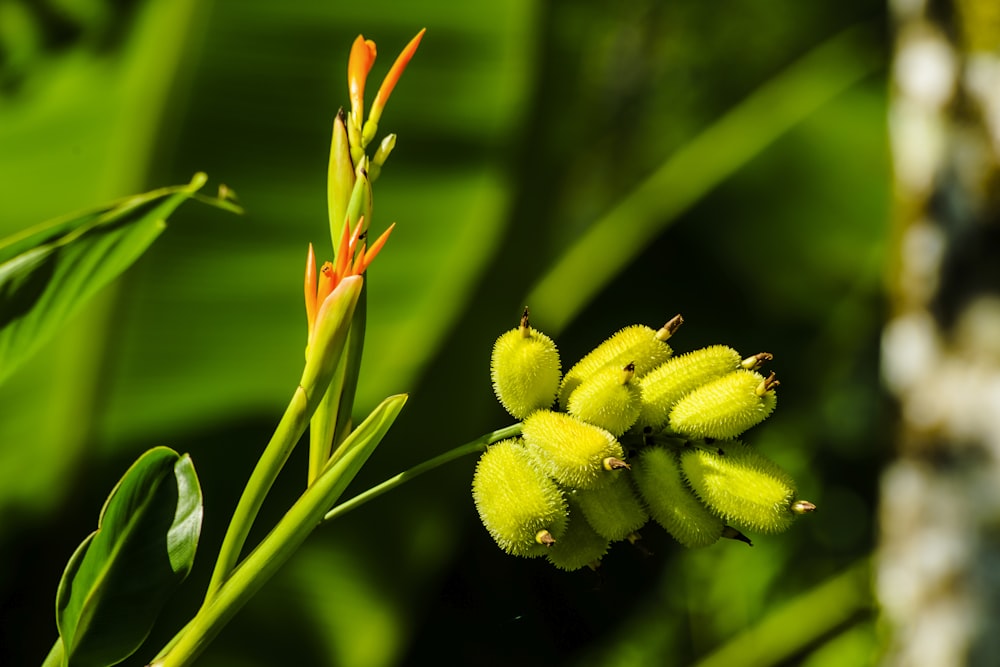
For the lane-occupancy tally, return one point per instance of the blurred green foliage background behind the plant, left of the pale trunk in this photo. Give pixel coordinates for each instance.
(603, 163)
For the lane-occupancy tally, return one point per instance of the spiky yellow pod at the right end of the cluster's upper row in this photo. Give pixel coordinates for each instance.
(726, 406)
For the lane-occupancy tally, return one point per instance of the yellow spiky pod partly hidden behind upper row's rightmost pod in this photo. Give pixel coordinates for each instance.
(669, 382)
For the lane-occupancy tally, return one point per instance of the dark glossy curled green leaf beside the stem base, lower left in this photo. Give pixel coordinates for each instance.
(121, 575)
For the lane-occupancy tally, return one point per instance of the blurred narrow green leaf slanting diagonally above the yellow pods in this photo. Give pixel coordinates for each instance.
(702, 164)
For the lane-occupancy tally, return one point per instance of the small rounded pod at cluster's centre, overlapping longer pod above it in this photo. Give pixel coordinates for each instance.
(609, 398)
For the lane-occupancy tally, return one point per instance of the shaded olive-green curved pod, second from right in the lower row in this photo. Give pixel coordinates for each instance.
(670, 502)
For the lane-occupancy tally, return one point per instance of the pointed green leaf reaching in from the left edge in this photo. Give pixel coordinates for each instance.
(49, 271)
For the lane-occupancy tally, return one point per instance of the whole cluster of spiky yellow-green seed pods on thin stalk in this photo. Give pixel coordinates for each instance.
(631, 432)
